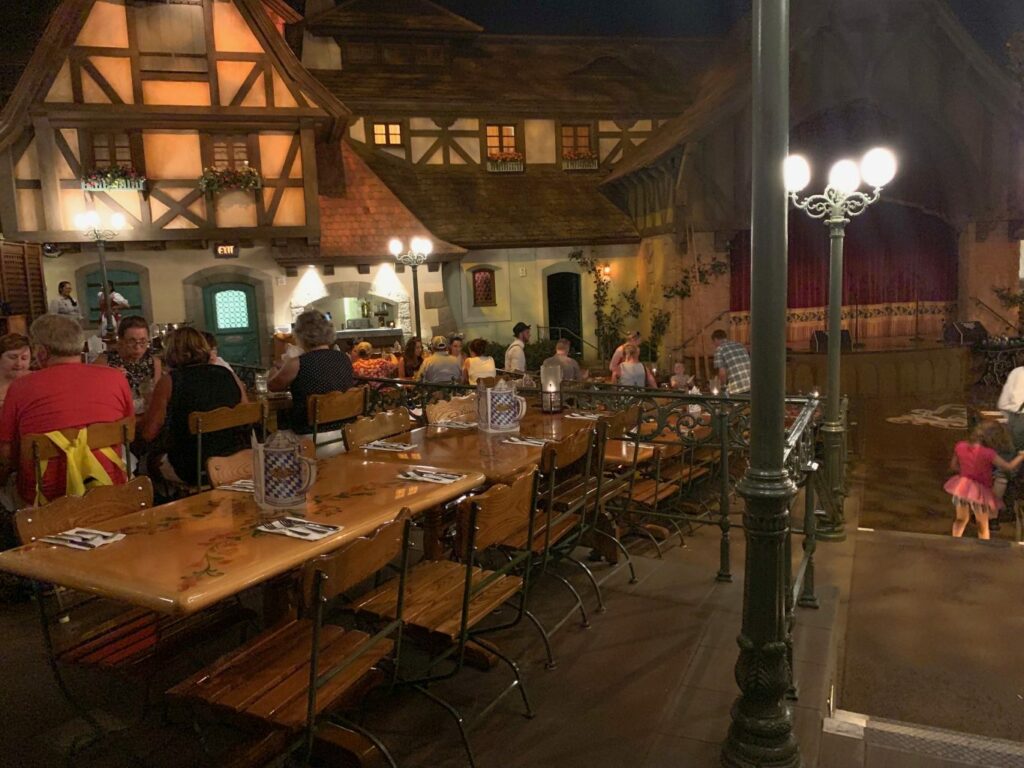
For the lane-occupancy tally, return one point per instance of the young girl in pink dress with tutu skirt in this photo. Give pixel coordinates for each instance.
(972, 488)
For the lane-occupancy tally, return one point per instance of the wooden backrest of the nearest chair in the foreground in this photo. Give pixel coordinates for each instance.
(357, 562)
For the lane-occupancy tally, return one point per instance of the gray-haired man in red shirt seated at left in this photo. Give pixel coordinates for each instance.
(65, 395)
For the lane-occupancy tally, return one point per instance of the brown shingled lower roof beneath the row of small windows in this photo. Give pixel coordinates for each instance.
(475, 209)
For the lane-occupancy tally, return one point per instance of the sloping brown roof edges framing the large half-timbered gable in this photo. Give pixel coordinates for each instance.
(66, 23)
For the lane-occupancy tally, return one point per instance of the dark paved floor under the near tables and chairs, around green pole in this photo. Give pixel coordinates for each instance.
(650, 685)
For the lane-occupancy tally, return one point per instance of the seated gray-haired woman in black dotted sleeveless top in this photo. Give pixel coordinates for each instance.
(318, 371)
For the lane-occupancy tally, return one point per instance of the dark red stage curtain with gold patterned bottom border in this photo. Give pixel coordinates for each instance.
(899, 263)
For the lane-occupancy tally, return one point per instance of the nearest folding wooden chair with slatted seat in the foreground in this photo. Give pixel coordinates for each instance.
(294, 676)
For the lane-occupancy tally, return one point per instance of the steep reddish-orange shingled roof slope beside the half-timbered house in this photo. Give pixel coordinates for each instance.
(358, 227)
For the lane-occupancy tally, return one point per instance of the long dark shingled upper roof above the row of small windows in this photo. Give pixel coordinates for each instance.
(572, 77)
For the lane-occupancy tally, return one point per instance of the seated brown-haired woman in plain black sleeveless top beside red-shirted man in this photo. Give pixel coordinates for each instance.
(194, 385)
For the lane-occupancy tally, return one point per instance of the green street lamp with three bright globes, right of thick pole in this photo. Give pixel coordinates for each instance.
(841, 202)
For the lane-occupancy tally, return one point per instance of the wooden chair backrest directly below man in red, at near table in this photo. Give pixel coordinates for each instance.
(99, 505)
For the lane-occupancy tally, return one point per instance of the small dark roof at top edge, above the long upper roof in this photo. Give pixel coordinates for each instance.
(391, 16)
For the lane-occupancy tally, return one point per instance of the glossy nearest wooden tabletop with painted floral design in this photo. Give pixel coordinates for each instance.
(188, 556)
